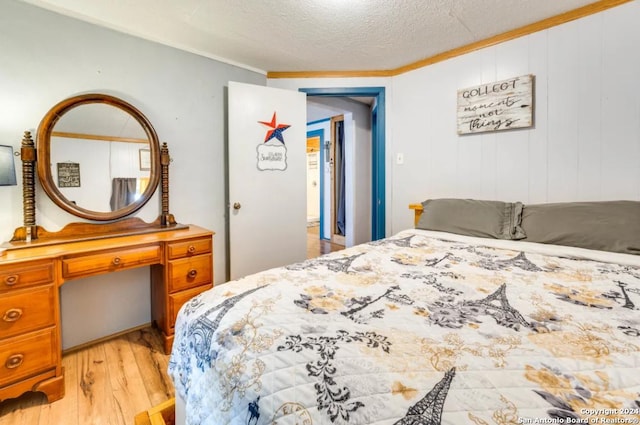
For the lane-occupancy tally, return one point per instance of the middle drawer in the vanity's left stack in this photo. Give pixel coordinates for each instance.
(23, 311)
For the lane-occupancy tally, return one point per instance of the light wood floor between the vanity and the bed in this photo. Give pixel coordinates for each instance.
(107, 383)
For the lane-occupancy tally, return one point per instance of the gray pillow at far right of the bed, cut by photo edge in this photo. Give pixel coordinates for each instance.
(606, 226)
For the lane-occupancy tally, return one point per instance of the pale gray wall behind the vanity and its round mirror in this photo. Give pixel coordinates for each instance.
(45, 58)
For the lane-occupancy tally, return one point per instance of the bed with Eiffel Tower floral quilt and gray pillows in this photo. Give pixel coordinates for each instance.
(424, 327)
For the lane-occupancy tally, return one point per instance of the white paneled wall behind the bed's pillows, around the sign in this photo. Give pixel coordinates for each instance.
(586, 141)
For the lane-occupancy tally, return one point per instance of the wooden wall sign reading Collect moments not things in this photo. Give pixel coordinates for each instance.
(502, 105)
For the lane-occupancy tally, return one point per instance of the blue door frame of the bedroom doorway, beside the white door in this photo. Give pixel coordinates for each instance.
(378, 188)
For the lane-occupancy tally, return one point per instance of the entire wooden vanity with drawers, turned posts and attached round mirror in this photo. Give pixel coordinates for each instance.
(125, 151)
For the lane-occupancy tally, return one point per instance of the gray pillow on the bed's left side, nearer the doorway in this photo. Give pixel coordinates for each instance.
(471, 217)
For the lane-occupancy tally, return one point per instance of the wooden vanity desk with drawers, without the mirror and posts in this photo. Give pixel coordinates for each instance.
(181, 263)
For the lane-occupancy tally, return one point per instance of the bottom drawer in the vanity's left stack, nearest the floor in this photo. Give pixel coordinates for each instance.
(27, 355)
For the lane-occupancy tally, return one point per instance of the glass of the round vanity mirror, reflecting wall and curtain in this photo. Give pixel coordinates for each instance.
(99, 157)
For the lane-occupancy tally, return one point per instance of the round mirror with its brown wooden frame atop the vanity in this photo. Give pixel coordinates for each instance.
(98, 157)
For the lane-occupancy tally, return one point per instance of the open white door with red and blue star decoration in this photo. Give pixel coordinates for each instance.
(267, 178)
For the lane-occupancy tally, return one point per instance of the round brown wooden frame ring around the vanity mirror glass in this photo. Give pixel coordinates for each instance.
(43, 140)
